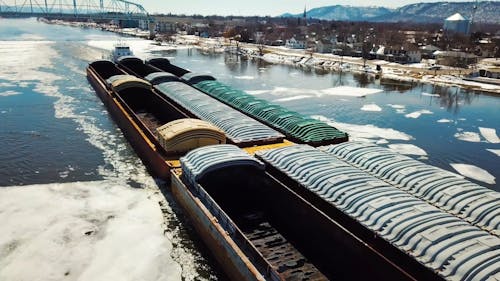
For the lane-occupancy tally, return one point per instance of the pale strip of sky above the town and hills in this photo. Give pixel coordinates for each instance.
(257, 7)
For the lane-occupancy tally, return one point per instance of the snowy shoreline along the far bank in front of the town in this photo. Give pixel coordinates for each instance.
(413, 73)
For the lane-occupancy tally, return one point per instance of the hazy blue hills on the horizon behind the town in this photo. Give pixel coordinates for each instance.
(487, 12)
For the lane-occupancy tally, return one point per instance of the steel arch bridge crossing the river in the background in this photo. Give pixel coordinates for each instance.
(74, 9)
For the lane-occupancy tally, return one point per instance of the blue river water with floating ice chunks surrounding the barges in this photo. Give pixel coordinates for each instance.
(54, 129)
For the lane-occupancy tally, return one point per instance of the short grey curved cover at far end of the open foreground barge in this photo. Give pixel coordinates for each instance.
(205, 159)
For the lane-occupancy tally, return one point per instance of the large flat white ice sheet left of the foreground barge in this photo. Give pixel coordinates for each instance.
(83, 231)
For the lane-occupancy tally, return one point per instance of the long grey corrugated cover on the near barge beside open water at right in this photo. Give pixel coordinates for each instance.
(473, 203)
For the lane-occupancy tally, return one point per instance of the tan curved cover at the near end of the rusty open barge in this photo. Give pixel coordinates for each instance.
(183, 135)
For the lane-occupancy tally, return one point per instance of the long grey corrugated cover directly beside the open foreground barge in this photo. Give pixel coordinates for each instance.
(442, 242)
